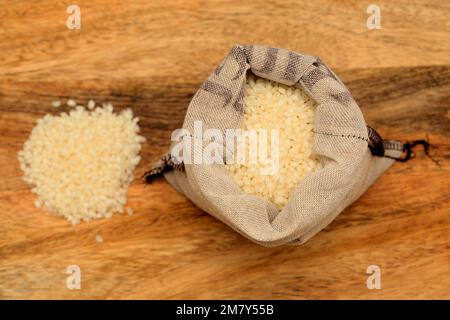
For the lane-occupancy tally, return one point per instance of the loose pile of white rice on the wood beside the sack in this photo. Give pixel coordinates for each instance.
(81, 163)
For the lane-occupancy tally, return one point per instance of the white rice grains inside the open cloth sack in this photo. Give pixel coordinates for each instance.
(270, 105)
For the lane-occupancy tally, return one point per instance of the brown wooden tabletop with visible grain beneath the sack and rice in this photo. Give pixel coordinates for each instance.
(152, 56)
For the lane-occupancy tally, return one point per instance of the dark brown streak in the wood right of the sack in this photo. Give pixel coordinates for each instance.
(414, 99)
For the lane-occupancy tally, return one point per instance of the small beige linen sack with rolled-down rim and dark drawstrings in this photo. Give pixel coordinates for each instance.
(353, 155)
